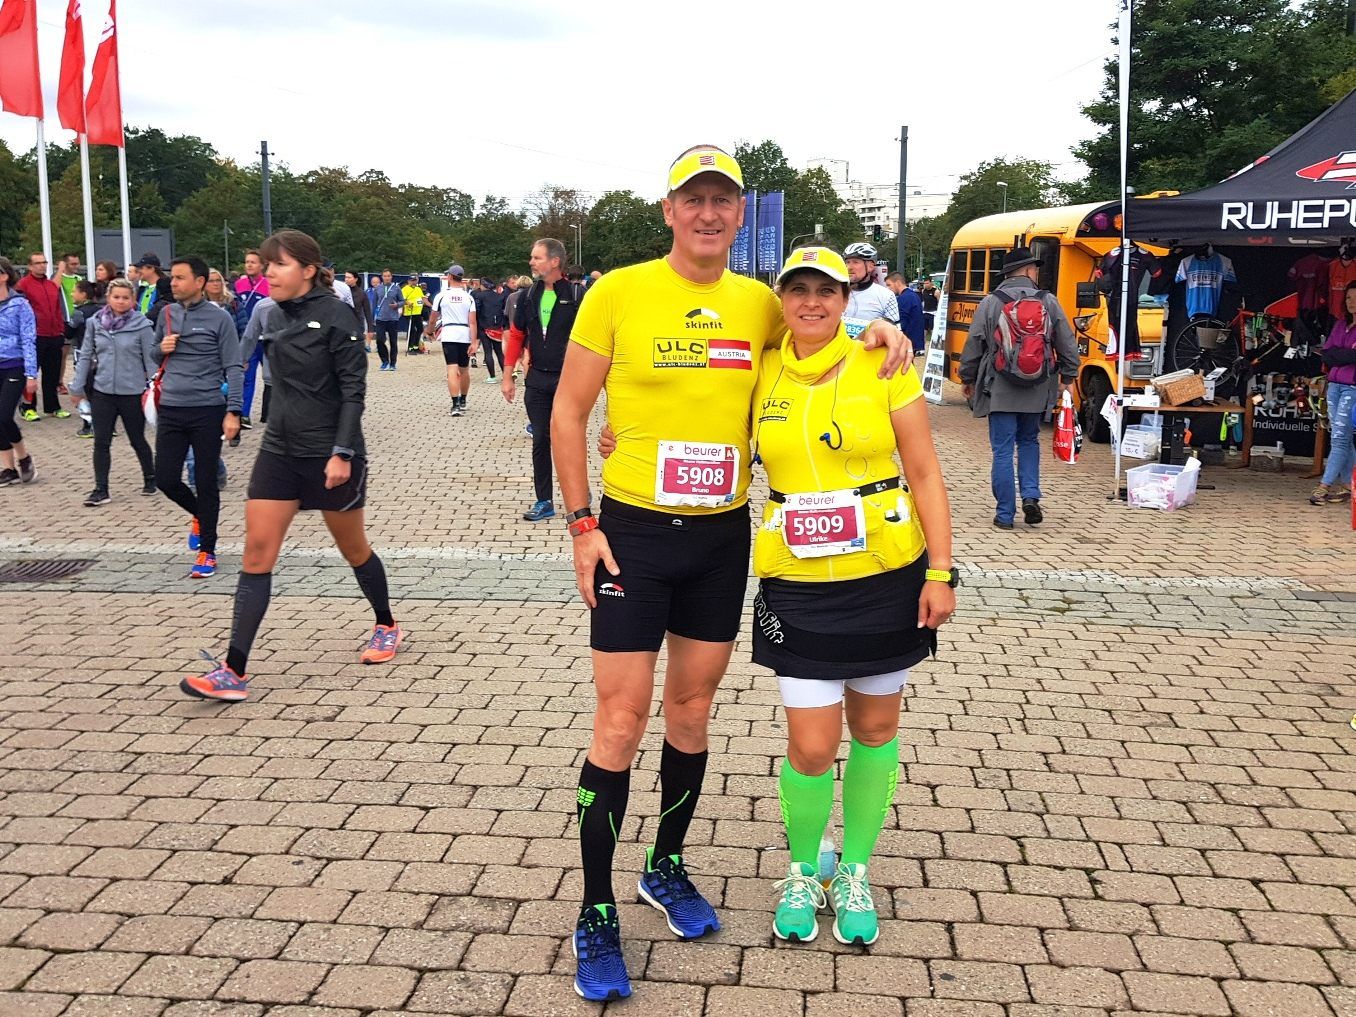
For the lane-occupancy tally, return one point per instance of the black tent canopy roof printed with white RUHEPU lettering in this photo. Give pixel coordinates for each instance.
(1300, 195)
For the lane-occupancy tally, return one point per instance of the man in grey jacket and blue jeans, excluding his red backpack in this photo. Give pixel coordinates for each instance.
(1015, 412)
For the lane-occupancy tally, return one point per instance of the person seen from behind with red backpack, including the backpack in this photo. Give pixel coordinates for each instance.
(1019, 359)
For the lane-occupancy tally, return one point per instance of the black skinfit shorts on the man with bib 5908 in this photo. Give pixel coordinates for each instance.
(680, 574)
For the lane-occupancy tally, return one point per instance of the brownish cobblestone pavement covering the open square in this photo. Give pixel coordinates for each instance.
(1129, 778)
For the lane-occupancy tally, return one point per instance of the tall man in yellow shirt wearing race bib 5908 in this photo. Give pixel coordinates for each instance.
(677, 344)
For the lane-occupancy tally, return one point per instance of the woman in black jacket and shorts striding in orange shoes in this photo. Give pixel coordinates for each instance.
(313, 455)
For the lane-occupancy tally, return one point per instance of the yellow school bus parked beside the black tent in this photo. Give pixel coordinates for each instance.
(1072, 243)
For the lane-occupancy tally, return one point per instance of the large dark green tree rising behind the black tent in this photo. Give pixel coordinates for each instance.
(1214, 85)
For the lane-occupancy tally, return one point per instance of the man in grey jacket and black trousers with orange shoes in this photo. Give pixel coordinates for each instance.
(200, 351)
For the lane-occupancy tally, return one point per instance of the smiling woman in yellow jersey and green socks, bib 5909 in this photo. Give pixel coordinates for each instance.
(856, 578)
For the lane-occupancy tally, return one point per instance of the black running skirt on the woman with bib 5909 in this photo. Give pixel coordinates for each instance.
(843, 630)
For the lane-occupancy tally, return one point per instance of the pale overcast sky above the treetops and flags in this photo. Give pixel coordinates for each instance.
(600, 96)
